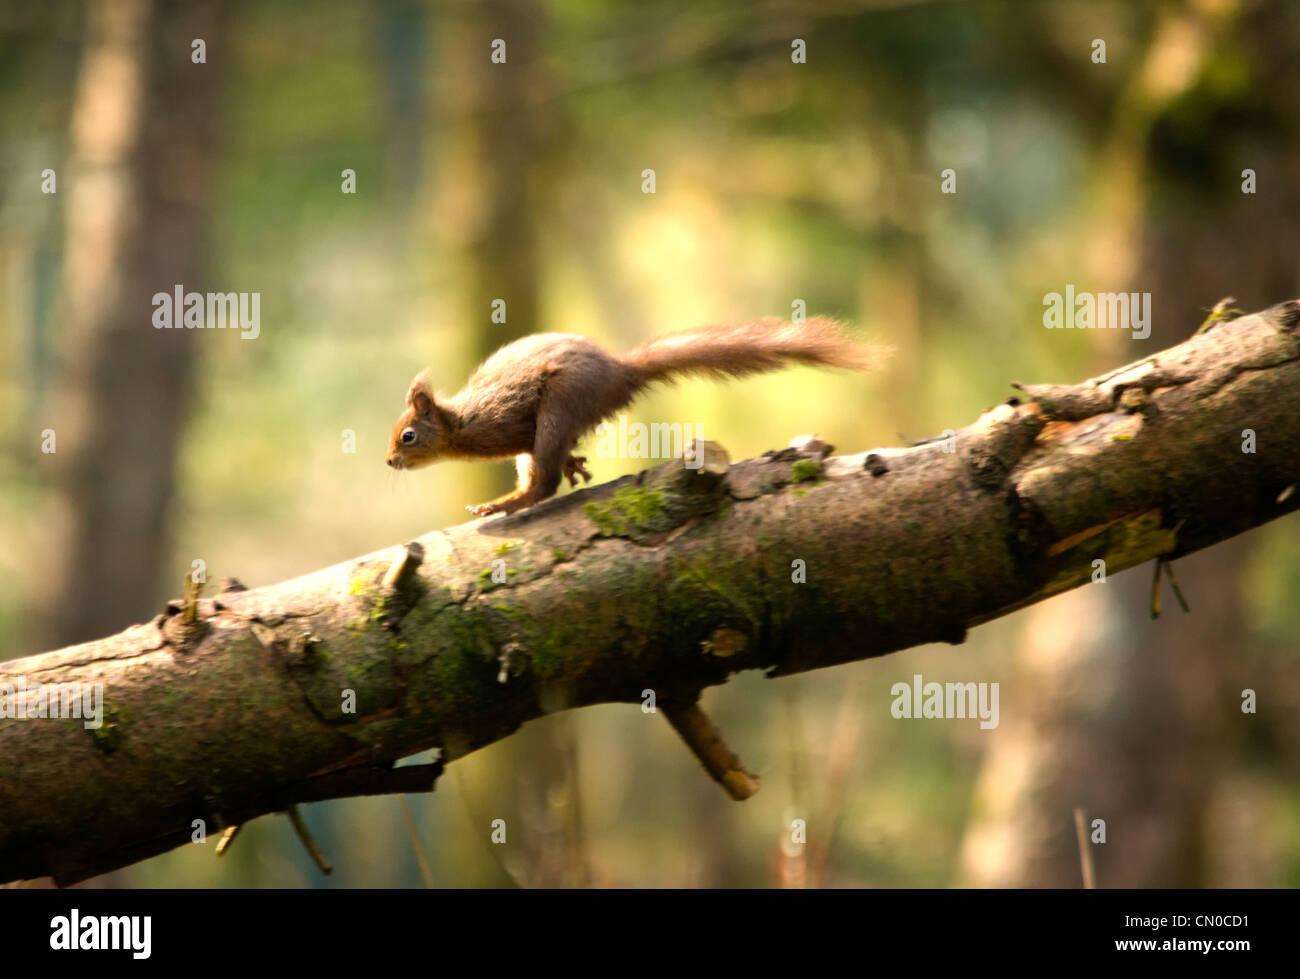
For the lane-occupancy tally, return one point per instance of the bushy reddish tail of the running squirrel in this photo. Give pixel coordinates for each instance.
(749, 349)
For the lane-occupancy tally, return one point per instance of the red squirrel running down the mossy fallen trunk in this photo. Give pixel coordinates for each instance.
(536, 397)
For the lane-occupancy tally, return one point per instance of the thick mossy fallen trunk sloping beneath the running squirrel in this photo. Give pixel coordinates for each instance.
(670, 581)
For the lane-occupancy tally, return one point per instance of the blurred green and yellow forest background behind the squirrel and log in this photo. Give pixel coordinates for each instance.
(775, 181)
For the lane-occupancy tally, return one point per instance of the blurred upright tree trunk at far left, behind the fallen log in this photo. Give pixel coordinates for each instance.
(142, 159)
